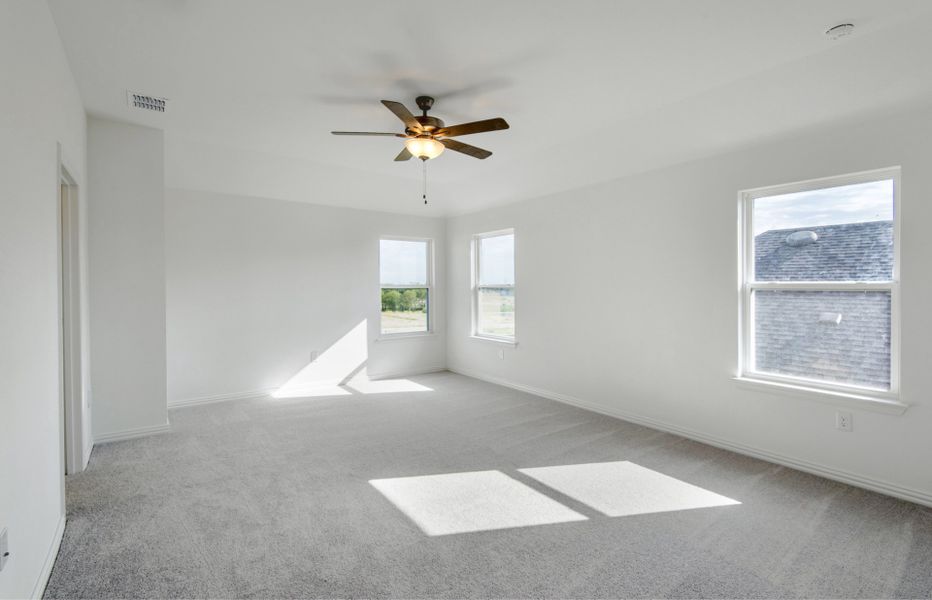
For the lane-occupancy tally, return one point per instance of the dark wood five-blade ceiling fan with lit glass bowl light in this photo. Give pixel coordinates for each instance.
(427, 137)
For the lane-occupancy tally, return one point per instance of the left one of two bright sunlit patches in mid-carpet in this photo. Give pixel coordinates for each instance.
(474, 501)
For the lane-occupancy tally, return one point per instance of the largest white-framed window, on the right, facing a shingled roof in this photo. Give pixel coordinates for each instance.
(820, 284)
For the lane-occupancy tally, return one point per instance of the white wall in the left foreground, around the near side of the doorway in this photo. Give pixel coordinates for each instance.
(39, 108)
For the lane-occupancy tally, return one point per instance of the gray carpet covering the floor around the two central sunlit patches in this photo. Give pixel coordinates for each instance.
(271, 498)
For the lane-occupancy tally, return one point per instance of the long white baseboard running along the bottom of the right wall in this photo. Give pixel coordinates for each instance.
(868, 483)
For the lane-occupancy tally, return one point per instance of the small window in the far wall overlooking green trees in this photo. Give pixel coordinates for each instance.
(405, 274)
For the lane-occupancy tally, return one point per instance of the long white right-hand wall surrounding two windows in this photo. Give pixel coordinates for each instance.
(649, 264)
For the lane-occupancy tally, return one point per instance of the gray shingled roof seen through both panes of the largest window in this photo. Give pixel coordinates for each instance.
(798, 332)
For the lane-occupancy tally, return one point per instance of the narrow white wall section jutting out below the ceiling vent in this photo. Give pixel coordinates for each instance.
(126, 249)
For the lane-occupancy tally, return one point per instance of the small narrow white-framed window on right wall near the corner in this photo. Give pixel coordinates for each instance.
(494, 285)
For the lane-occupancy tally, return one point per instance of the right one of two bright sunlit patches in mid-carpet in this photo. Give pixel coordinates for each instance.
(623, 488)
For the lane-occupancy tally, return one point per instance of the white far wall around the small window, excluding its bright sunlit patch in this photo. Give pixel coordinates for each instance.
(255, 285)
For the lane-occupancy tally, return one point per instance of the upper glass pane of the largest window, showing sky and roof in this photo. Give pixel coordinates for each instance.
(842, 233)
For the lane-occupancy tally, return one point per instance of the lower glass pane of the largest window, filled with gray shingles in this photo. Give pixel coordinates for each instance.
(841, 337)
